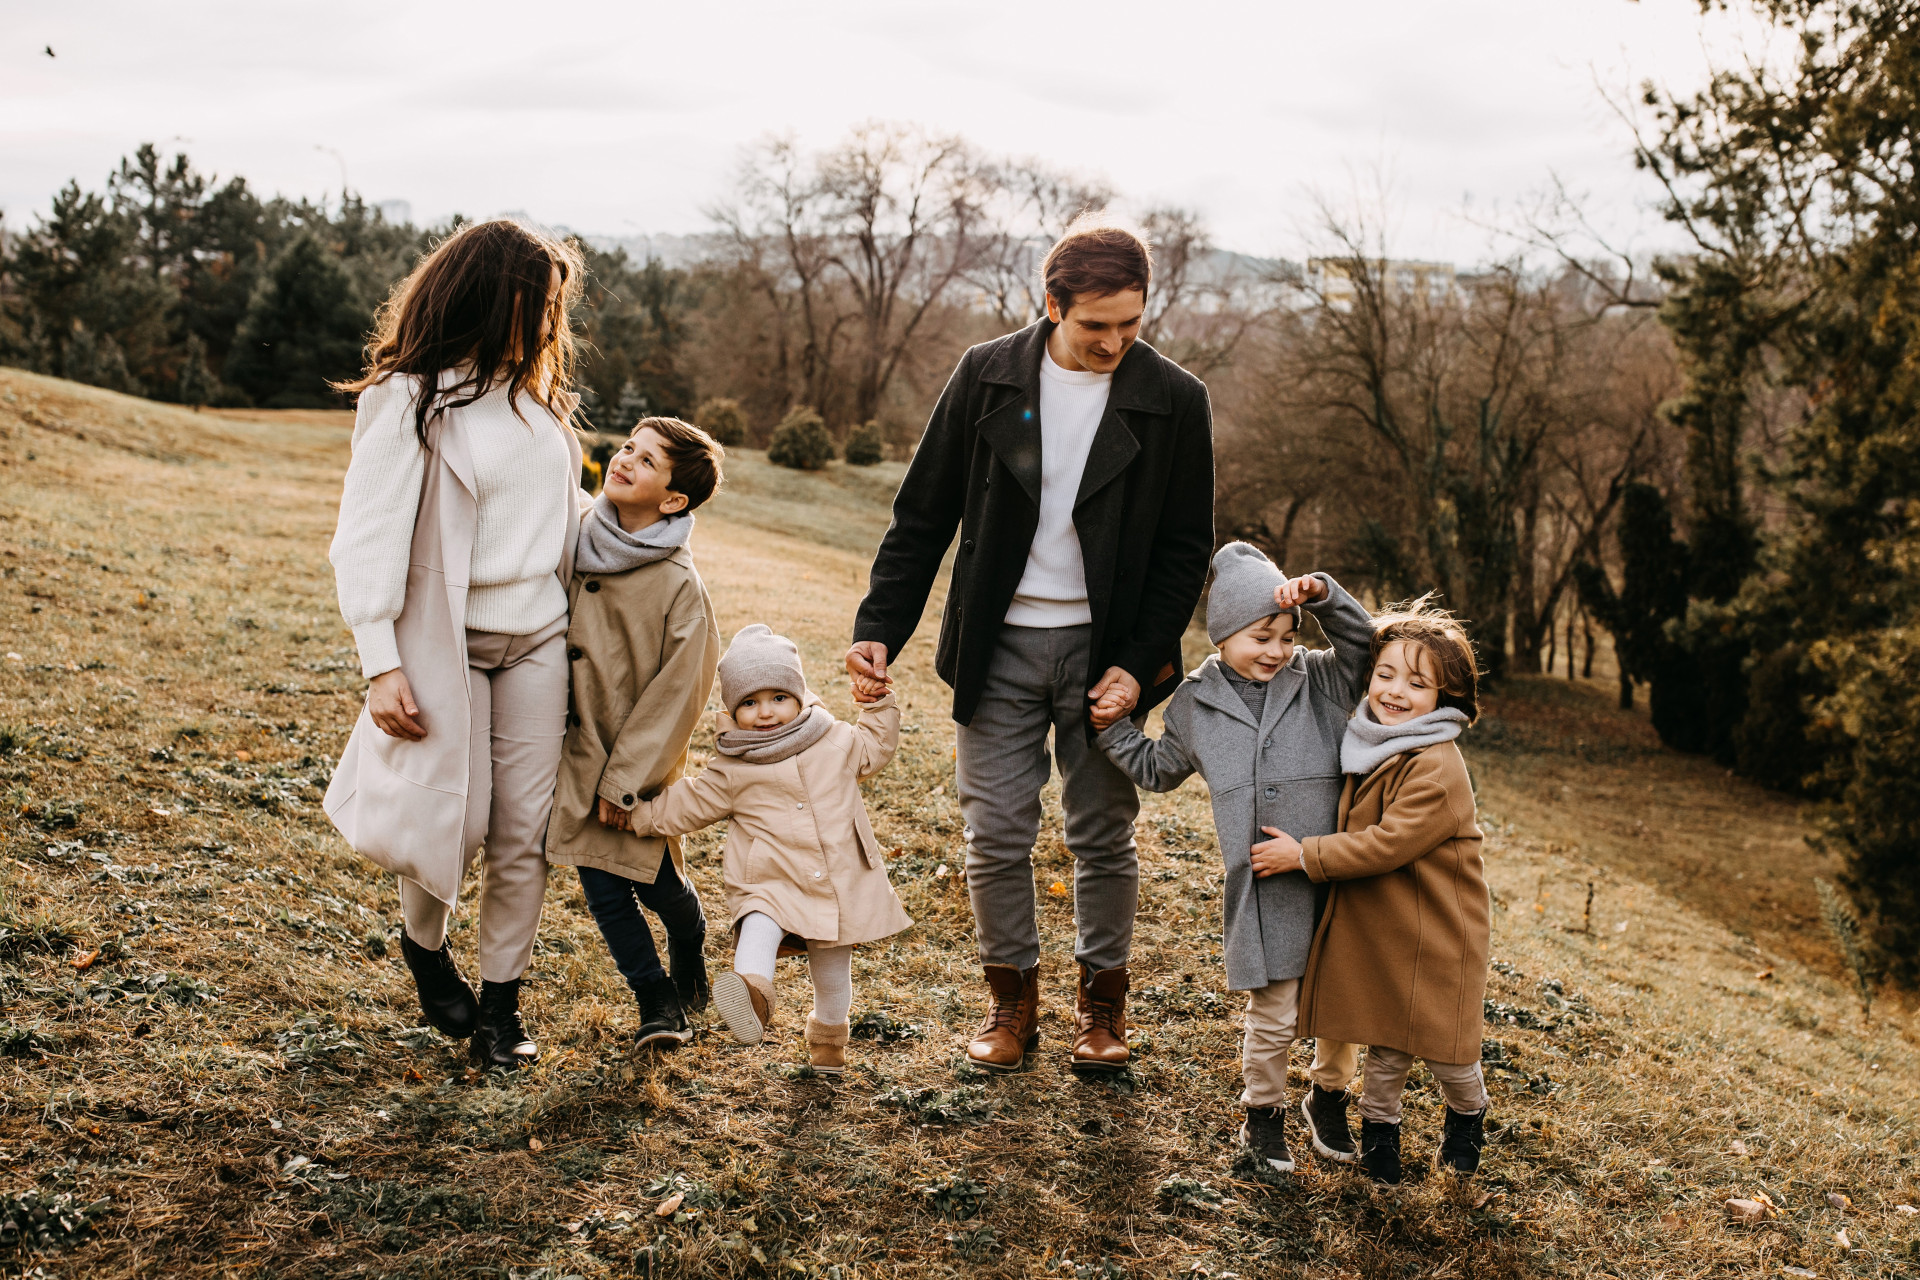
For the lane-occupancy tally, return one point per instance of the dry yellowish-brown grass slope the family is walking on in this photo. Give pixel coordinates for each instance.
(210, 1062)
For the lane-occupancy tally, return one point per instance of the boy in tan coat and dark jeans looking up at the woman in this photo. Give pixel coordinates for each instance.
(642, 648)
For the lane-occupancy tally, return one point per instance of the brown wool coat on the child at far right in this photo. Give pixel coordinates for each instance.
(1401, 953)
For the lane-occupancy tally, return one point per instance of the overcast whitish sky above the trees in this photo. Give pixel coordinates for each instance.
(629, 118)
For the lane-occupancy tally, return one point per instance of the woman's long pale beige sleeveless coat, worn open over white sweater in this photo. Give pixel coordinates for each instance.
(402, 803)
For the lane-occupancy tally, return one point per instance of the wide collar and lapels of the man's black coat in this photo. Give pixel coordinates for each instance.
(1015, 427)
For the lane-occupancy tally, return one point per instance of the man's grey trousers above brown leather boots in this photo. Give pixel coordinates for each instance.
(1038, 682)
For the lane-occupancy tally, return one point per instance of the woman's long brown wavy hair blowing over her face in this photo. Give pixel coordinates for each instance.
(479, 304)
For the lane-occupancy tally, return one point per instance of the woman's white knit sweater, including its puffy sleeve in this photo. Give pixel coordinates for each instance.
(519, 531)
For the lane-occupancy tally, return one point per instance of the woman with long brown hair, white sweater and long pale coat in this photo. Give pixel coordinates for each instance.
(458, 531)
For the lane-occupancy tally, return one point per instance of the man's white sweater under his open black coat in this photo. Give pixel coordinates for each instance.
(1053, 590)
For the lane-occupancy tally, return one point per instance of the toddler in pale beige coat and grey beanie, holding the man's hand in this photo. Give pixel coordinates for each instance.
(800, 855)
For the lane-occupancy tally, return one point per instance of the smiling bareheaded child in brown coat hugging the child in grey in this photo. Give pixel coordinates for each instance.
(1399, 962)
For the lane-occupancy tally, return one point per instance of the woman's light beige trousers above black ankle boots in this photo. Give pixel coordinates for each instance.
(519, 721)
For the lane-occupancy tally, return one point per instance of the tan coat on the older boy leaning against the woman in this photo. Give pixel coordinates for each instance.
(642, 650)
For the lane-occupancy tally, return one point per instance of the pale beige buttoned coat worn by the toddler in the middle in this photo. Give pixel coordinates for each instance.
(800, 847)
